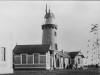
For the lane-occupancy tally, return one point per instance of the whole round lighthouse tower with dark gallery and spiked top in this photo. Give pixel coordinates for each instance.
(49, 30)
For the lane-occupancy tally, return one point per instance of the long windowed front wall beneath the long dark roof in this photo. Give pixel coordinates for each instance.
(30, 61)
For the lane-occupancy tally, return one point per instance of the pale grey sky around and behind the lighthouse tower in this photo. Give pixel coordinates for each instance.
(20, 21)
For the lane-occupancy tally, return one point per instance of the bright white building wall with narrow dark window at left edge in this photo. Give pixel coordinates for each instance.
(6, 57)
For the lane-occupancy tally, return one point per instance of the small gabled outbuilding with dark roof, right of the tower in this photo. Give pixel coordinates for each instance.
(76, 59)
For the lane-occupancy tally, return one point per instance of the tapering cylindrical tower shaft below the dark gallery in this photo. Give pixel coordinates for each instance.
(50, 37)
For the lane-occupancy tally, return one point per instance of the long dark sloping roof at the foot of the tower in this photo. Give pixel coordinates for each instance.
(31, 49)
